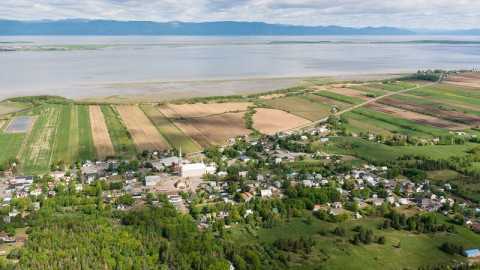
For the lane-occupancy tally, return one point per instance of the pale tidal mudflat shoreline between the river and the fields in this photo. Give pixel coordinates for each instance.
(162, 91)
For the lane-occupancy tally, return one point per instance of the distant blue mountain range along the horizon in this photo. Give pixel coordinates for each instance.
(224, 28)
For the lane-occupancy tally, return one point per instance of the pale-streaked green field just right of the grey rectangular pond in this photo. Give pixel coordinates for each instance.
(38, 152)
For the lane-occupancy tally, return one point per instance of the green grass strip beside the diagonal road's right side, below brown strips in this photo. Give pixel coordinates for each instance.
(365, 120)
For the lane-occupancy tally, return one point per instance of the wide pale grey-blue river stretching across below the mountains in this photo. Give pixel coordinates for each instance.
(105, 72)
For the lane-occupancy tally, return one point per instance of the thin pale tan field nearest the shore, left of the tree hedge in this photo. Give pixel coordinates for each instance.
(201, 109)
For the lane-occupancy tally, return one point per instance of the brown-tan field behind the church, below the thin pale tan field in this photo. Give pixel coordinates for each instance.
(221, 127)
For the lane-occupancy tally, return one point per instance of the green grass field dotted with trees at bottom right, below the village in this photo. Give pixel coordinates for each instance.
(333, 252)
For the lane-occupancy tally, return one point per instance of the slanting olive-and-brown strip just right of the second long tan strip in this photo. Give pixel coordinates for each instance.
(170, 132)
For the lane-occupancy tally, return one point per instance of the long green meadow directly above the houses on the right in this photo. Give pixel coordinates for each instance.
(369, 150)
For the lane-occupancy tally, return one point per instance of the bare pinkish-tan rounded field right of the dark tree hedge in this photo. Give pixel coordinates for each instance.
(271, 121)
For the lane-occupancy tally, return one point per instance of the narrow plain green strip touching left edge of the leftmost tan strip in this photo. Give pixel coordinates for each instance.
(85, 142)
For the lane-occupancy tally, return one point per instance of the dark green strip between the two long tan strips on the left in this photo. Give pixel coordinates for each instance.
(122, 143)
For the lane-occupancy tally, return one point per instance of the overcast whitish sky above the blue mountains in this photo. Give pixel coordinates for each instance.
(436, 14)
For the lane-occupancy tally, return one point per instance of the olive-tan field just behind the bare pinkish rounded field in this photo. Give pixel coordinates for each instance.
(301, 107)
